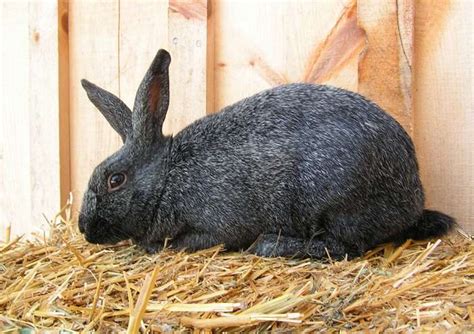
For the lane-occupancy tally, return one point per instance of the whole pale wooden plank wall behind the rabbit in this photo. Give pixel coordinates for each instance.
(418, 67)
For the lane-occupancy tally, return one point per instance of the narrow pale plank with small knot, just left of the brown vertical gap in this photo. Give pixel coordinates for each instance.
(43, 97)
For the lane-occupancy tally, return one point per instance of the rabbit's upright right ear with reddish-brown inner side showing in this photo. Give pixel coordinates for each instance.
(152, 100)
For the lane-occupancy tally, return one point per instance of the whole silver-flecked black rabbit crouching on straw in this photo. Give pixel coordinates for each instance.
(300, 170)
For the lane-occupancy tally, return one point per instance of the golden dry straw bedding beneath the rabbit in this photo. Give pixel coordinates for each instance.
(59, 281)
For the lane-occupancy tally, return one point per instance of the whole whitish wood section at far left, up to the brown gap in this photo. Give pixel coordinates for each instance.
(30, 115)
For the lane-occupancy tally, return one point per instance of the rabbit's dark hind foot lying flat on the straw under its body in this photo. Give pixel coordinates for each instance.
(274, 245)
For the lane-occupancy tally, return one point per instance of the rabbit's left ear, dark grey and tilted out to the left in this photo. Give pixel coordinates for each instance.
(114, 110)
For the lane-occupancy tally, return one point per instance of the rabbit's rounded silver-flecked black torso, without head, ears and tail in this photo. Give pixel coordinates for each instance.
(288, 160)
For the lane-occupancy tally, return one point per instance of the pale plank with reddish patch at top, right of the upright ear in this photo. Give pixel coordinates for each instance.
(188, 23)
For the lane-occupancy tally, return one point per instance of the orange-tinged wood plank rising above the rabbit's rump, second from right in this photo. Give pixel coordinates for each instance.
(385, 68)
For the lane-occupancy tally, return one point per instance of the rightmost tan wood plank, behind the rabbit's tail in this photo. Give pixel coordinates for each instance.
(444, 124)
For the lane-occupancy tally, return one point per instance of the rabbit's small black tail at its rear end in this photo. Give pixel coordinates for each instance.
(432, 224)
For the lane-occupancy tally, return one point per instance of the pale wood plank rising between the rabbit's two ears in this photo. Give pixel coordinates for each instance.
(143, 31)
